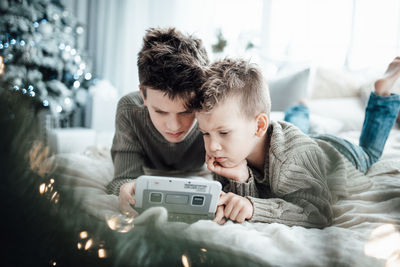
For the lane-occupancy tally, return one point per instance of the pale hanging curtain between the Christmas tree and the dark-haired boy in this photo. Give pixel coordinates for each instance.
(114, 31)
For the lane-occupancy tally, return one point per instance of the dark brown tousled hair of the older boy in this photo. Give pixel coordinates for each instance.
(171, 62)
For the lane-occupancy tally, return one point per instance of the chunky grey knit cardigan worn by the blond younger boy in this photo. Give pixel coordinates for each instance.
(302, 178)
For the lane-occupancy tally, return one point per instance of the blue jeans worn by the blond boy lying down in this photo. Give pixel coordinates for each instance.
(380, 116)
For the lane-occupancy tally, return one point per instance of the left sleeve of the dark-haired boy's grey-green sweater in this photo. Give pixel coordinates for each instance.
(126, 151)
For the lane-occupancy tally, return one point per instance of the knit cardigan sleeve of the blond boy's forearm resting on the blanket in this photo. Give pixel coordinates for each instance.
(302, 196)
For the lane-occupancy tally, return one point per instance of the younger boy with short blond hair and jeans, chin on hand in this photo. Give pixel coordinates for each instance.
(271, 171)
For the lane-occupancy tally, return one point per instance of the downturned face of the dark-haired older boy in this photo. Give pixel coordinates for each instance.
(169, 117)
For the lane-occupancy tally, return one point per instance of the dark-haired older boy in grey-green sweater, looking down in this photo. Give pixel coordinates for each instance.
(155, 132)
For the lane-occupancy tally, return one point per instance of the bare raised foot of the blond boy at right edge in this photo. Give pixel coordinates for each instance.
(384, 85)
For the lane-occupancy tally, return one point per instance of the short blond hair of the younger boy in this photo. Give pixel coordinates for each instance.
(234, 77)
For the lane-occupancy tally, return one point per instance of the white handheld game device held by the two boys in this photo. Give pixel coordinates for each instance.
(183, 196)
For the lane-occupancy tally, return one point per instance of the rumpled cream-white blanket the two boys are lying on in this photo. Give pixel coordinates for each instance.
(365, 231)
